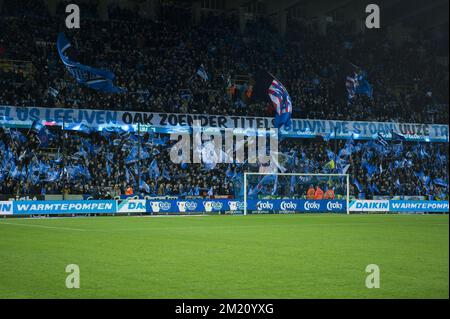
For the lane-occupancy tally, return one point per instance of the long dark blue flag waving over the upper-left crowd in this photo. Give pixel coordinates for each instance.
(100, 80)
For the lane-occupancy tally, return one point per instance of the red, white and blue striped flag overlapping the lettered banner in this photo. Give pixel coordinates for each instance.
(268, 88)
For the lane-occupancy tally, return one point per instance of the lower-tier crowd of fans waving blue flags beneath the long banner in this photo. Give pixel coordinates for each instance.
(112, 162)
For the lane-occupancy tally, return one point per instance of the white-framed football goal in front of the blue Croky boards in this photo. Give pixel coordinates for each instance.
(288, 192)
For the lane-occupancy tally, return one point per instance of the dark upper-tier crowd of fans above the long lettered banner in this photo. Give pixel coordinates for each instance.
(157, 60)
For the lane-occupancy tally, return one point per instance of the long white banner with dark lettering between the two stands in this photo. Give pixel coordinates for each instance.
(169, 123)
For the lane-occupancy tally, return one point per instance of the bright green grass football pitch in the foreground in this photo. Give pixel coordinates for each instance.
(265, 256)
